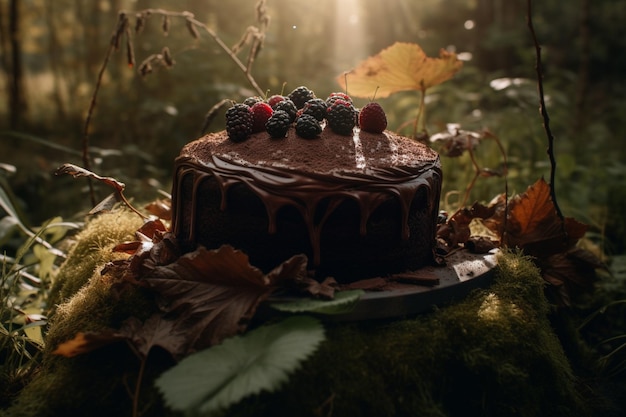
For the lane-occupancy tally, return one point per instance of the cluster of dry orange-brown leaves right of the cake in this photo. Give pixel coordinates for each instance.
(532, 225)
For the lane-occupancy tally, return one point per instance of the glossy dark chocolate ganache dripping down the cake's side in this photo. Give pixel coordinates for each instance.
(278, 187)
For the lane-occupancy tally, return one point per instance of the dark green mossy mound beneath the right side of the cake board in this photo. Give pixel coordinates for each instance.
(492, 354)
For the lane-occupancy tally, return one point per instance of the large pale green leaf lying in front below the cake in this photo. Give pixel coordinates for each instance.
(260, 360)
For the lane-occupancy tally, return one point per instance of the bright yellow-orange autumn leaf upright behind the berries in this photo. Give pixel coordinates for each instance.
(400, 67)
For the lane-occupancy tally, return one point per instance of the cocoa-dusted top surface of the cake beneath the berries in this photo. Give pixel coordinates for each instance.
(327, 152)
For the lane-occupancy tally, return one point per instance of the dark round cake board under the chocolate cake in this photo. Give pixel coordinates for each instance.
(463, 272)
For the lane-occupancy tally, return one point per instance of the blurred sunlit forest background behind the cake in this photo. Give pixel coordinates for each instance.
(52, 51)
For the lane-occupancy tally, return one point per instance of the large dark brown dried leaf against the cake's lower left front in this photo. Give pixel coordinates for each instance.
(217, 291)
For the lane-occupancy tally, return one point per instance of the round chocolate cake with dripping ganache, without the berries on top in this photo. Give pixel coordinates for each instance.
(358, 206)
